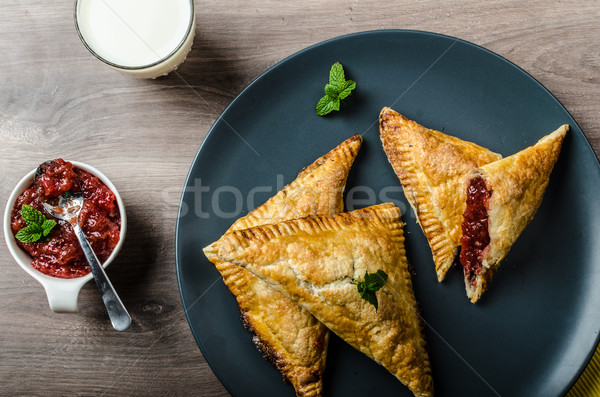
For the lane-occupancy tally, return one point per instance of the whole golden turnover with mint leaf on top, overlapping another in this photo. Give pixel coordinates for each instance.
(315, 260)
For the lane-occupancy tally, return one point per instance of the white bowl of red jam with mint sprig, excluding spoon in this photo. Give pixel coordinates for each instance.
(47, 248)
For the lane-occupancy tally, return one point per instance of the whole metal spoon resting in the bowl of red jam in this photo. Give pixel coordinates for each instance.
(68, 209)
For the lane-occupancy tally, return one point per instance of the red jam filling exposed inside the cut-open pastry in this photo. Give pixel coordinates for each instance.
(476, 236)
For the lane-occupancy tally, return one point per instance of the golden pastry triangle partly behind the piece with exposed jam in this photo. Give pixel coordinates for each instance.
(430, 165)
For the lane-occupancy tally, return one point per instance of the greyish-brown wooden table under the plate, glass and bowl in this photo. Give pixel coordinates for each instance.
(57, 100)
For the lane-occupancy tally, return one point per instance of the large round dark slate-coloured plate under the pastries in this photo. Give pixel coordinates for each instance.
(533, 331)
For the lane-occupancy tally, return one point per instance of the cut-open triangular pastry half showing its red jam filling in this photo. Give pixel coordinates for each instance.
(502, 198)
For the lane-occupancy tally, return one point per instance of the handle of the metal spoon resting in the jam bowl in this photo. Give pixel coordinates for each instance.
(119, 317)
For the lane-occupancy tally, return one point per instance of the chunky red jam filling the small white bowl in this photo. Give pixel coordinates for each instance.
(59, 254)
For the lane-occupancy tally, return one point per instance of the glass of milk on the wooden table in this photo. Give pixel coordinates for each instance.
(143, 38)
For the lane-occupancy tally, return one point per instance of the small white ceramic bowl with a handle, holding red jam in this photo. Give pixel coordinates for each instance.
(62, 292)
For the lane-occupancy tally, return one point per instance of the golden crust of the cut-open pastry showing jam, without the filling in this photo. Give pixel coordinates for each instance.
(517, 183)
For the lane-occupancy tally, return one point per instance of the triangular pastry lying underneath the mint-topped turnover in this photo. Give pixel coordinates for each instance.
(287, 335)
